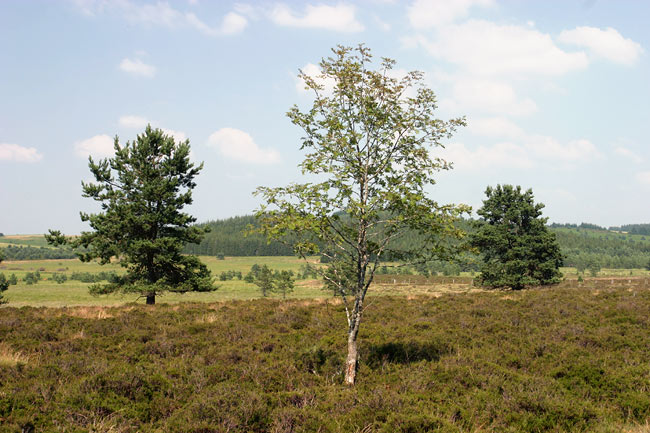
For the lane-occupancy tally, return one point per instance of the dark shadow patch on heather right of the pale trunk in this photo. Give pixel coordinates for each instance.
(404, 353)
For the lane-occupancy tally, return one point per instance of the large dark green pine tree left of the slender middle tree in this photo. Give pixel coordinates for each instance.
(143, 190)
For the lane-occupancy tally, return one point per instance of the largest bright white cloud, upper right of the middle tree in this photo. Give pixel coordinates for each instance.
(485, 48)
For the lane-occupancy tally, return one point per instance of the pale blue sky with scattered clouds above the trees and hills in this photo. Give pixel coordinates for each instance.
(556, 94)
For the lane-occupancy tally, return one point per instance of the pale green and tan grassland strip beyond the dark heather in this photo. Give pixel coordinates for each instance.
(75, 293)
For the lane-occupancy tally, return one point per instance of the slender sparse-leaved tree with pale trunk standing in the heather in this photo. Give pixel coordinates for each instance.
(368, 143)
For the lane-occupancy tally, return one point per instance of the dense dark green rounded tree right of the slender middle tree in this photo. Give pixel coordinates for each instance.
(517, 248)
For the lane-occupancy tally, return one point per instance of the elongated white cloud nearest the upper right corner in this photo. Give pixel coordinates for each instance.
(608, 43)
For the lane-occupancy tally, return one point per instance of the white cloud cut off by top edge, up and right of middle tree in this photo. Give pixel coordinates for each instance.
(424, 14)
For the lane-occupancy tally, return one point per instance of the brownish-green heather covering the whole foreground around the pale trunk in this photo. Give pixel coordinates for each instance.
(559, 359)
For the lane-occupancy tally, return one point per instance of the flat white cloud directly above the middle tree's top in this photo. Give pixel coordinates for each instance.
(340, 18)
